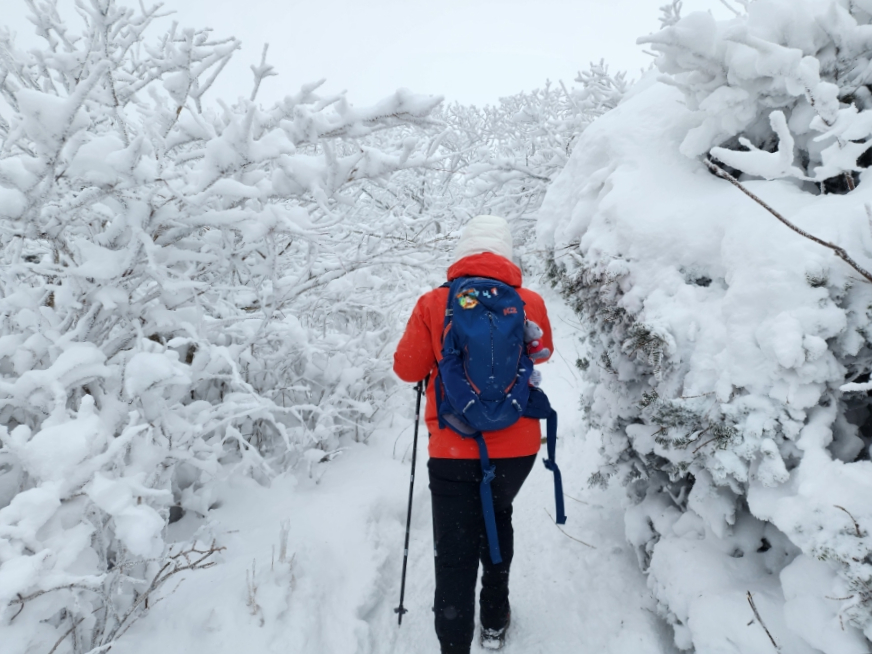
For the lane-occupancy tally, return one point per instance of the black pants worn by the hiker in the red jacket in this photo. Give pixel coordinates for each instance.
(460, 542)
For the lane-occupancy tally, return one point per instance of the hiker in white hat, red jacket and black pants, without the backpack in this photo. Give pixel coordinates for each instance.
(455, 469)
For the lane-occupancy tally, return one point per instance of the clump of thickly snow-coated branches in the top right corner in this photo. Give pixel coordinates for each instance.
(784, 89)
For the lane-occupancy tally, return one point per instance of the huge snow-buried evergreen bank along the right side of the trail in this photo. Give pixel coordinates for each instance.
(721, 342)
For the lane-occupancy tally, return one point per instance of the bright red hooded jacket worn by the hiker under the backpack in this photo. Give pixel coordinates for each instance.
(421, 348)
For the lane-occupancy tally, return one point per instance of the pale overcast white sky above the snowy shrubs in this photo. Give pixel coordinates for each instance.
(473, 51)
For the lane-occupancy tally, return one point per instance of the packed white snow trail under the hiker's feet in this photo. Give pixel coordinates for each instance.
(337, 588)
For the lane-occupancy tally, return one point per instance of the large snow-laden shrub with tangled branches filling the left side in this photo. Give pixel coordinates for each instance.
(168, 304)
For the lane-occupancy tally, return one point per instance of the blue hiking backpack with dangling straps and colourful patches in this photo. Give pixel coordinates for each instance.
(483, 382)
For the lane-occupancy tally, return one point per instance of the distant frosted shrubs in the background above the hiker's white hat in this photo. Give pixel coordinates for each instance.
(498, 159)
